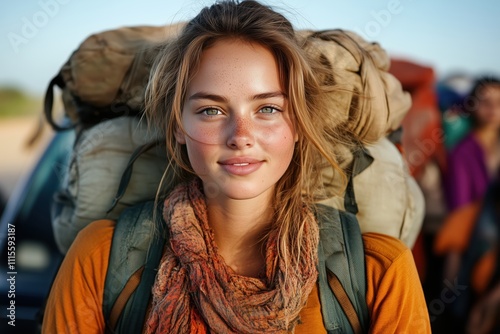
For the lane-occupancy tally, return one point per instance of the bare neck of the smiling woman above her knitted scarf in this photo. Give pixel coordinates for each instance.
(240, 227)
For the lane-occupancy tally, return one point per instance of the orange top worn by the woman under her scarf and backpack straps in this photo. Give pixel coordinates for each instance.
(394, 295)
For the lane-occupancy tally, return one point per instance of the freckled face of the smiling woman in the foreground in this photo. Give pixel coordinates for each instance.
(239, 133)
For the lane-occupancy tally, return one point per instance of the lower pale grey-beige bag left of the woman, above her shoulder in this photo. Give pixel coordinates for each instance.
(97, 162)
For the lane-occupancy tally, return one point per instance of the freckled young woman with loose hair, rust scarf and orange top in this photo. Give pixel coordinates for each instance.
(246, 123)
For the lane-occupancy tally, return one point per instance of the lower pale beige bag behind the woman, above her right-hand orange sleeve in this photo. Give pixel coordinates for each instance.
(388, 198)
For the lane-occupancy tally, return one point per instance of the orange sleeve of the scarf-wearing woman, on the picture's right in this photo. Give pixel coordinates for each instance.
(394, 293)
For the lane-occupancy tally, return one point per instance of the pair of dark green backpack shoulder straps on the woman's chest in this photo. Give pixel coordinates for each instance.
(137, 247)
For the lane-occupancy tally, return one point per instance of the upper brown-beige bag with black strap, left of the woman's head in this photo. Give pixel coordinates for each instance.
(107, 75)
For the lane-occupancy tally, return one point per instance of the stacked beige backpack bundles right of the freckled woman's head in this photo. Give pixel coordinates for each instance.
(372, 104)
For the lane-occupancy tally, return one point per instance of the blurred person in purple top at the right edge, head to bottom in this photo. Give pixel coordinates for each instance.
(469, 234)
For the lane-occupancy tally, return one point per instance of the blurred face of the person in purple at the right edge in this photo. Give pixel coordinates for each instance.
(488, 106)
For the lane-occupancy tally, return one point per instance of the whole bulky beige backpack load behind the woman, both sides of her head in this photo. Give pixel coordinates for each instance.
(103, 84)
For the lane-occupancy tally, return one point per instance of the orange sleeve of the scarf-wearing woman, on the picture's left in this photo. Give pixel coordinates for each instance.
(75, 301)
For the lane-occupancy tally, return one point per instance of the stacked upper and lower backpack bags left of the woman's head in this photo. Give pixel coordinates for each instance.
(103, 84)
